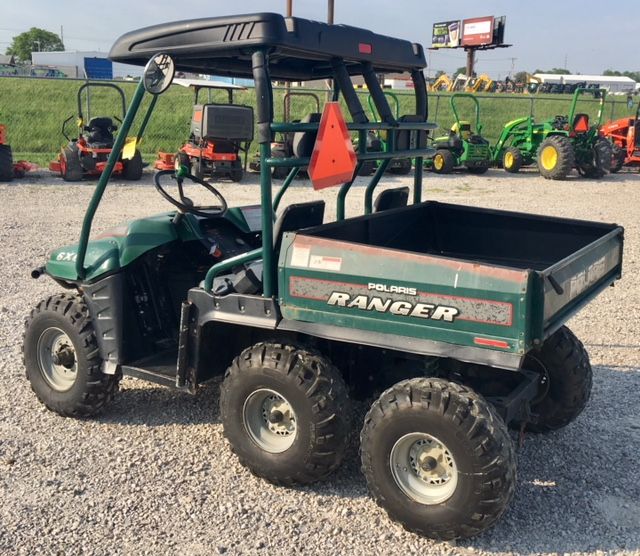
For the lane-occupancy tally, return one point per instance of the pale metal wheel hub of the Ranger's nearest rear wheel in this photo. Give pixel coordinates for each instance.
(423, 468)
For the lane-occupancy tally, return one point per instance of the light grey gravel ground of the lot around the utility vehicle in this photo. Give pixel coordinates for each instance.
(154, 475)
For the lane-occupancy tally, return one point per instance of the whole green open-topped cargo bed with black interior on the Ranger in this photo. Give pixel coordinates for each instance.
(446, 274)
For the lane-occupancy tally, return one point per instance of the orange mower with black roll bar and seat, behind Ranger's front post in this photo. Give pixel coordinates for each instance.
(86, 155)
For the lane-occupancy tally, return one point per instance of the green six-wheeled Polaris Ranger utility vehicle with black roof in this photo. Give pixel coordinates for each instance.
(451, 316)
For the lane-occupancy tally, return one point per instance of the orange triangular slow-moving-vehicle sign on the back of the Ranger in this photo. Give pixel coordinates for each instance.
(333, 160)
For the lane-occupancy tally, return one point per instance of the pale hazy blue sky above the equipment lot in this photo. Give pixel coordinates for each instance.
(544, 33)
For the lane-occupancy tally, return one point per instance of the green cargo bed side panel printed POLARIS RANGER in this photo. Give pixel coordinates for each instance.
(329, 281)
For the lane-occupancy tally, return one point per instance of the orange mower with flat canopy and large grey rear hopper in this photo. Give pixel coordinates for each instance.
(219, 134)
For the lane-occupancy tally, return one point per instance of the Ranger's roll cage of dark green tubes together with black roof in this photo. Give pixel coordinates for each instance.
(270, 47)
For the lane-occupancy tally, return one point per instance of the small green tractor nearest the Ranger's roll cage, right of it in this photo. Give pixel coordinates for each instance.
(462, 147)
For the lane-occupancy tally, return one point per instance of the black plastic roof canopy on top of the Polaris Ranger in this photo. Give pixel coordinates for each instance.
(300, 49)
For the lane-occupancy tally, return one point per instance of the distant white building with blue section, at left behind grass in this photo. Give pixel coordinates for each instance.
(86, 64)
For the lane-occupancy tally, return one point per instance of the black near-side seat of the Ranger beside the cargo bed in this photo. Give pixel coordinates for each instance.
(248, 278)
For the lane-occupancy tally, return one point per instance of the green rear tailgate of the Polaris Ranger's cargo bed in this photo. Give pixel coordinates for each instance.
(572, 282)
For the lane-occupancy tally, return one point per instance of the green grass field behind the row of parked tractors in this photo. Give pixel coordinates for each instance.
(33, 111)
